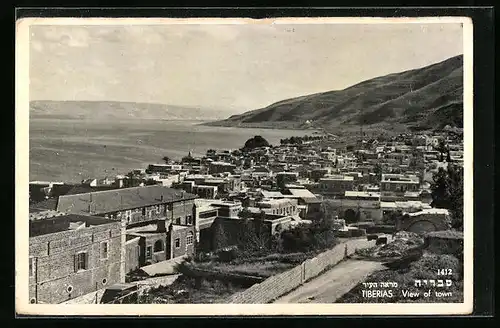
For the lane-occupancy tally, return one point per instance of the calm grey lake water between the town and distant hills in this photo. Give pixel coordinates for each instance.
(72, 150)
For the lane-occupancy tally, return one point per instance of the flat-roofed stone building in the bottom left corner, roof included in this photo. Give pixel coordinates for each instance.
(73, 255)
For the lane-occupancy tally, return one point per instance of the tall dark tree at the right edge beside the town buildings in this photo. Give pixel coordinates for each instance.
(447, 192)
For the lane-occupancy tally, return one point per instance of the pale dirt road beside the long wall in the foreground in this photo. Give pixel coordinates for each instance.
(331, 285)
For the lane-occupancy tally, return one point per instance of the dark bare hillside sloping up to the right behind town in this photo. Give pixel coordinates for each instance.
(418, 99)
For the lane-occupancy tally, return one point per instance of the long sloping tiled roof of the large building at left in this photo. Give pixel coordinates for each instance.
(120, 199)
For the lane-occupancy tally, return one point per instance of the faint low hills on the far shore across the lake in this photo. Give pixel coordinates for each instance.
(109, 110)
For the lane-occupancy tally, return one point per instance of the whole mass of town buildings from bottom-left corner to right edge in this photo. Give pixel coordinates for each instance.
(169, 211)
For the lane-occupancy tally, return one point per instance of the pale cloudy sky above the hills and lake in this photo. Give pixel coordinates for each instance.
(229, 67)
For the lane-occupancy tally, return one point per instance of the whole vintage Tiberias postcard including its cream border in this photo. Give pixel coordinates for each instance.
(238, 165)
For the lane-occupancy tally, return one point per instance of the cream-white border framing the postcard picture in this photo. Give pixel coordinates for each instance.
(22, 181)
